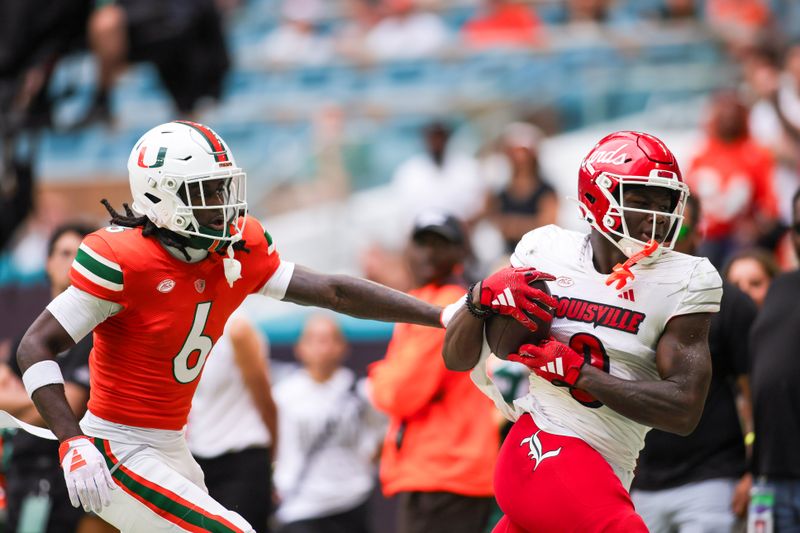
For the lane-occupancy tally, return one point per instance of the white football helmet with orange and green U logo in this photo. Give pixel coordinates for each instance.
(170, 157)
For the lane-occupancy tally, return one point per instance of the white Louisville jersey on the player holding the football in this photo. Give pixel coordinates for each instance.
(623, 327)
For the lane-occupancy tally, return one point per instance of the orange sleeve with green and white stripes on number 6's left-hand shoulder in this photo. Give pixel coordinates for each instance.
(97, 270)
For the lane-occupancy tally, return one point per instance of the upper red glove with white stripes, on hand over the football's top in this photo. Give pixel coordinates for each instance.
(508, 292)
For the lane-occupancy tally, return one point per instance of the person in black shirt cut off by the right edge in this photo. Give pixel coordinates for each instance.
(776, 397)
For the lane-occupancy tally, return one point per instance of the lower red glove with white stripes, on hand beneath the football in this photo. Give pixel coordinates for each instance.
(554, 361)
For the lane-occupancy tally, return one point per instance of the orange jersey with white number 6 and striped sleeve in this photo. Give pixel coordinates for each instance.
(148, 357)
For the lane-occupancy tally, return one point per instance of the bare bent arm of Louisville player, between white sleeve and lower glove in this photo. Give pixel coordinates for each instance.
(675, 402)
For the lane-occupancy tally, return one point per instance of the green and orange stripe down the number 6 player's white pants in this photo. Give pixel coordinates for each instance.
(163, 501)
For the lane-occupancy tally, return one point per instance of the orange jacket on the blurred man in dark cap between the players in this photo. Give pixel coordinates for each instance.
(442, 435)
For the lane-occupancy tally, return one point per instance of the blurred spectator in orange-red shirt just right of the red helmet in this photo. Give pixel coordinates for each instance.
(732, 175)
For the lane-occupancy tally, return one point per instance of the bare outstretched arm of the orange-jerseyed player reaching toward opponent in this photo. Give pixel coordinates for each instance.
(359, 298)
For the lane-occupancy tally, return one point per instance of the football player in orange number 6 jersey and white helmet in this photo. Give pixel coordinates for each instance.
(156, 288)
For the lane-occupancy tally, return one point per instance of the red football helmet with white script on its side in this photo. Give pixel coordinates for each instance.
(621, 159)
